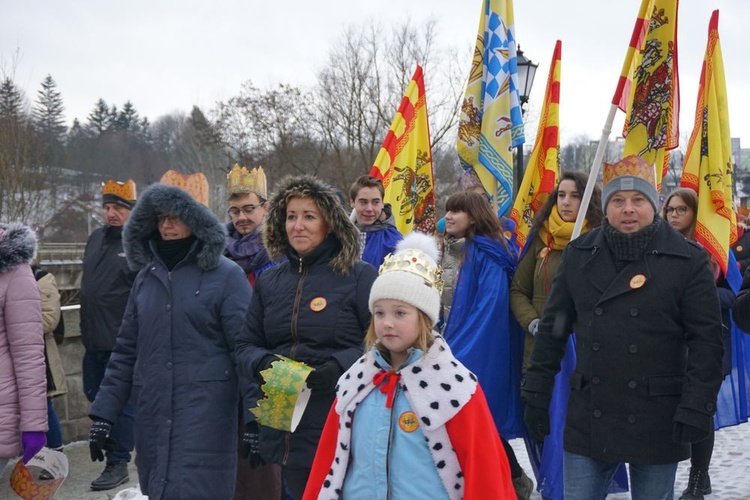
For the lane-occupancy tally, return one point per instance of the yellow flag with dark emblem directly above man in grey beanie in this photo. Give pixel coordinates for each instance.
(651, 126)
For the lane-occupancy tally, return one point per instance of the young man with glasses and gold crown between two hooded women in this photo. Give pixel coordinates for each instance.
(247, 209)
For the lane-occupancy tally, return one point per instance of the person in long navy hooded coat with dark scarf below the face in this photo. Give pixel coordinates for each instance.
(175, 350)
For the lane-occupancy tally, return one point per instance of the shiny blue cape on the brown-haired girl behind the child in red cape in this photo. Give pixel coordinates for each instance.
(483, 334)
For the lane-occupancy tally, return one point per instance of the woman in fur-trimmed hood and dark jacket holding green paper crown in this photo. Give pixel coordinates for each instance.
(312, 308)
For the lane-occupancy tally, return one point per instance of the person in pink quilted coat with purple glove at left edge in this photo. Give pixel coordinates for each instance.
(23, 382)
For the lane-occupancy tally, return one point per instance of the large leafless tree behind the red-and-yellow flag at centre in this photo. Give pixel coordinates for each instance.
(360, 88)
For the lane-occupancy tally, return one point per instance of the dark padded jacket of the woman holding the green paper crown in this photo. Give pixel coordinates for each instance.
(282, 321)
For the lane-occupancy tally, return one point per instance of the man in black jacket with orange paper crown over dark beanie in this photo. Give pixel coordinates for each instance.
(105, 286)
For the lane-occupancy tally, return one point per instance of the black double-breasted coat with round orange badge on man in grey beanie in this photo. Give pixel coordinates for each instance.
(648, 347)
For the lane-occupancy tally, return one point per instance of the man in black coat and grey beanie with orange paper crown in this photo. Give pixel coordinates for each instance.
(642, 302)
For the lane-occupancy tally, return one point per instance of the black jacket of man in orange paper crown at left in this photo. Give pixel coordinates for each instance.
(105, 287)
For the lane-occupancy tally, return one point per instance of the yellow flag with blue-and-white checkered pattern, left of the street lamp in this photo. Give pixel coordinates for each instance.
(491, 122)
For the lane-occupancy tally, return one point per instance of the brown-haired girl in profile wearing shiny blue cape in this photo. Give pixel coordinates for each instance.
(477, 268)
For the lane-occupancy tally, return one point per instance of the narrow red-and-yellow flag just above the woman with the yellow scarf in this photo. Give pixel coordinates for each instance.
(543, 168)
